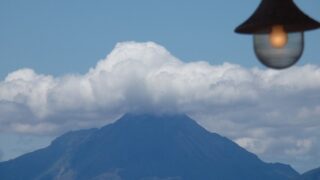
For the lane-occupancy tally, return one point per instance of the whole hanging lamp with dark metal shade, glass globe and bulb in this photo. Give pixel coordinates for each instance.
(278, 32)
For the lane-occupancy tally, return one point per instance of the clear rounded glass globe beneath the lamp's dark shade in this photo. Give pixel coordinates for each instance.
(279, 58)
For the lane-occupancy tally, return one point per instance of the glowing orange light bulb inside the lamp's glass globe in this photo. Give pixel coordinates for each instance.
(278, 38)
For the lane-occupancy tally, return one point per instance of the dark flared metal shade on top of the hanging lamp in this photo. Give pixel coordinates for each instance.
(277, 12)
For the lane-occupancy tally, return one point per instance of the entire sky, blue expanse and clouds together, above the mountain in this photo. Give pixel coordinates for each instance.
(59, 41)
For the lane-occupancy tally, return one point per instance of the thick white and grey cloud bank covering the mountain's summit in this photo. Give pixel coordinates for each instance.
(272, 113)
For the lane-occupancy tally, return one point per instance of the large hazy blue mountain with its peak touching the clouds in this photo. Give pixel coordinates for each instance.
(143, 147)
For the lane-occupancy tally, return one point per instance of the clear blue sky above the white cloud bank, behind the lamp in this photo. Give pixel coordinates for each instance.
(59, 37)
